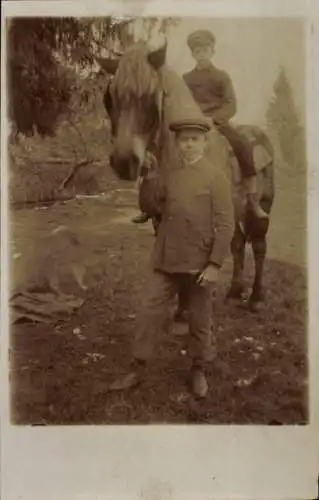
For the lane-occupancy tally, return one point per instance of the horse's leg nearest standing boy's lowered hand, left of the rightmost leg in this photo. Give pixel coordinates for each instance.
(238, 252)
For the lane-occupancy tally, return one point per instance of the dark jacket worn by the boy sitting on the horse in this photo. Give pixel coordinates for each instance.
(213, 90)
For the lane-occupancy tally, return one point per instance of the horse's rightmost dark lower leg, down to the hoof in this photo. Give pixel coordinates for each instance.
(257, 296)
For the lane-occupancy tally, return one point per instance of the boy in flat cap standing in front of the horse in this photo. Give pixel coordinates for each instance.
(195, 204)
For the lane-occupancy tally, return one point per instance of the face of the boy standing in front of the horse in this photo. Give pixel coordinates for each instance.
(190, 144)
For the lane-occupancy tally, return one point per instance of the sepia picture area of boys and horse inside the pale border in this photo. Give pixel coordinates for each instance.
(158, 230)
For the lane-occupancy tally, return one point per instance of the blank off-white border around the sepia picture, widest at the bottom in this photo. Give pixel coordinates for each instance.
(167, 462)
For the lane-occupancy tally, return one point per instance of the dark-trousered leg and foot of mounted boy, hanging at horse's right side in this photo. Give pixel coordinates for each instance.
(243, 151)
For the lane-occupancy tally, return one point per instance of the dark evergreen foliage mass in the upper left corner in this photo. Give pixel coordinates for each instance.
(40, 88)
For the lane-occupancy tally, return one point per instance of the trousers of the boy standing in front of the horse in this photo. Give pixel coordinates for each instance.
(155, 316)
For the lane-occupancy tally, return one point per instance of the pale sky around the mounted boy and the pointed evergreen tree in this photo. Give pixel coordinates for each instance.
(251, 51)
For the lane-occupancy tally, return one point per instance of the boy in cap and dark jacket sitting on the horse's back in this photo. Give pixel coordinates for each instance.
(213, 91)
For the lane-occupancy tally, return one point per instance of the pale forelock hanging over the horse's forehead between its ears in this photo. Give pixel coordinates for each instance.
(135, 78)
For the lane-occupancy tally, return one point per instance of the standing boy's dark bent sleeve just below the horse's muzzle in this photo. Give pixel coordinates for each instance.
(152, 194)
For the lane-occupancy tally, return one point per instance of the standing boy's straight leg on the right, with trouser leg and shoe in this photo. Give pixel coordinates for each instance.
(202, 342)
